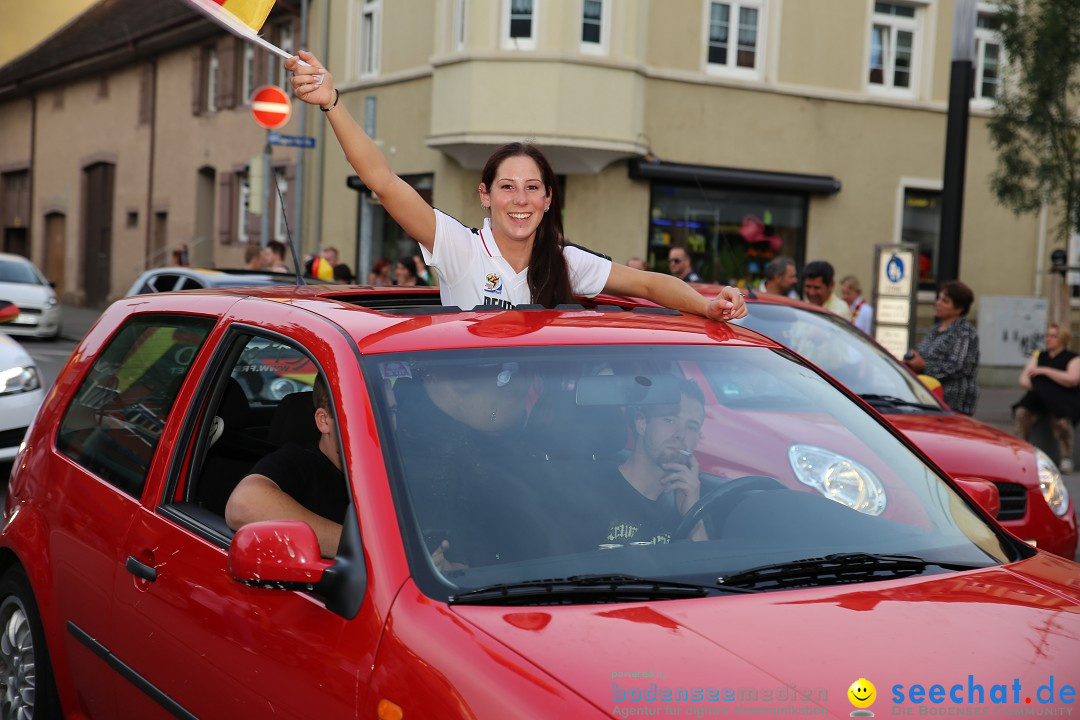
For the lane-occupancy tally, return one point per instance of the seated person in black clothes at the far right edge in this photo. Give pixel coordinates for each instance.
(1051, 378)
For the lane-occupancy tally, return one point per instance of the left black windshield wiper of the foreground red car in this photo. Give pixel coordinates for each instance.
(587, 589)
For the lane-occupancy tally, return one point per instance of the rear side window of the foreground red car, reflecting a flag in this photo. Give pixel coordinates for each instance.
(114, 424)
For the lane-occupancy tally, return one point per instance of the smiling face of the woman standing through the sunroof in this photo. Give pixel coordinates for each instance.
(518, 198)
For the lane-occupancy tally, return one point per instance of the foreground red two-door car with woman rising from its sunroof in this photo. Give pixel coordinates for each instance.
(497, 558)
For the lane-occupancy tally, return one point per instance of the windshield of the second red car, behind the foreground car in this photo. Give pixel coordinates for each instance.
(842, 350)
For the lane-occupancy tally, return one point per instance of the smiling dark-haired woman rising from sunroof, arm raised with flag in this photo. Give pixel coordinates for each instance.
(521, 255)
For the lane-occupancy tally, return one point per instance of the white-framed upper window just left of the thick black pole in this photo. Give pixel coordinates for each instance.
(894, 47)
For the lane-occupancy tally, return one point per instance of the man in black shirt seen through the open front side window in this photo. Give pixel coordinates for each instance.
(299, 483)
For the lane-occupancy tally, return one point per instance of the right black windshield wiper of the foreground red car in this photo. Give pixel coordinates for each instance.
(838, 569)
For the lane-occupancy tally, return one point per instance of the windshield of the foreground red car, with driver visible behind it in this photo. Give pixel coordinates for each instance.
(516, 466)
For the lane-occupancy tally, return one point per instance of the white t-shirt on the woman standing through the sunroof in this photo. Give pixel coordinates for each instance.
(472, 271)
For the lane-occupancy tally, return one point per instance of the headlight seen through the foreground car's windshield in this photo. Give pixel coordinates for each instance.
(839, 479)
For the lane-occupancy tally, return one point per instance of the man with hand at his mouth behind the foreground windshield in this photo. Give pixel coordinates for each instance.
(644, 499)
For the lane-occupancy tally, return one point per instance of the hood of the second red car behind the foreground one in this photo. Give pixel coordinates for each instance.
(965, 447)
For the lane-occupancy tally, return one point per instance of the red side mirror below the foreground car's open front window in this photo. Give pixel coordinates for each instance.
(277, 555)
